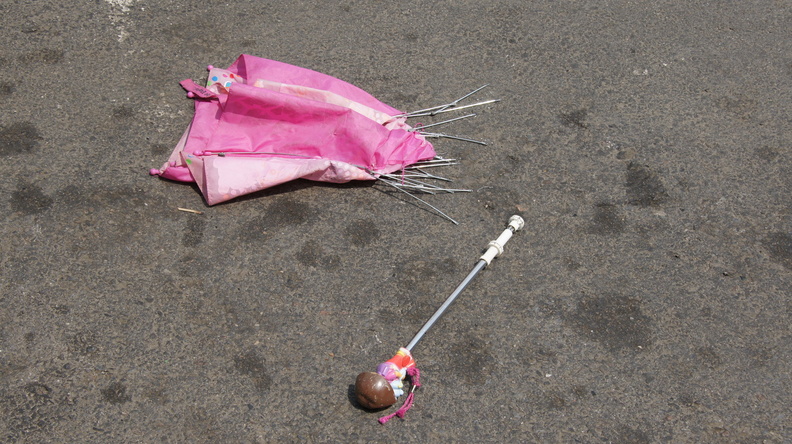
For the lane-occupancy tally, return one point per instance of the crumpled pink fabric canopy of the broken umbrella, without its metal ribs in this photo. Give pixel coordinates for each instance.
(261, 123)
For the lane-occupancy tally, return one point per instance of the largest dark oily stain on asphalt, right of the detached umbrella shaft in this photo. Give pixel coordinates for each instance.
(616, 322)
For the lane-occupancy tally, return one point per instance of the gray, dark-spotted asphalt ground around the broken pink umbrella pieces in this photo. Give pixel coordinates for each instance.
(647, 144)
